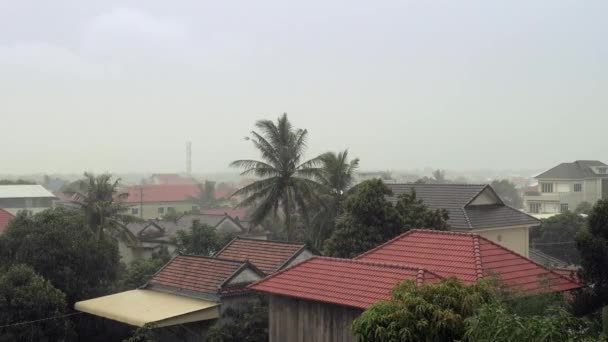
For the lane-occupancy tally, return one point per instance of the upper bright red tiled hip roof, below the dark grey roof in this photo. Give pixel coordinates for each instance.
(469, 257)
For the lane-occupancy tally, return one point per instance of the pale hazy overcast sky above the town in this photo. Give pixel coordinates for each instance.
(121, 85)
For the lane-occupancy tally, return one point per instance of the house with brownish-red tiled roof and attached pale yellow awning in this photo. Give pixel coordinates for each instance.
(182, 299)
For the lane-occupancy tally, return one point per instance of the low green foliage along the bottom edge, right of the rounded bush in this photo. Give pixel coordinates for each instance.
(494, 323)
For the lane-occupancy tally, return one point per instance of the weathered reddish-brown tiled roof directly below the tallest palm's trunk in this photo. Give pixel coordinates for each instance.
(269, 256)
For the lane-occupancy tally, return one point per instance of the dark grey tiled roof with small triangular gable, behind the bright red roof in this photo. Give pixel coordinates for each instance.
(459, 201)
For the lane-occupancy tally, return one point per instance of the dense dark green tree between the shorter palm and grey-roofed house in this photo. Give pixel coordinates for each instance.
(369, 219)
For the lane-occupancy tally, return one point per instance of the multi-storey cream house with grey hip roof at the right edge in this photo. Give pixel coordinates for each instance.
(565, 186)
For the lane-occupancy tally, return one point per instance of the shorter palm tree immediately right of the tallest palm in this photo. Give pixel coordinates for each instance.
(336, 177)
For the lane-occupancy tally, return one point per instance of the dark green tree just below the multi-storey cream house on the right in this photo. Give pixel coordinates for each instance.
(555, 236)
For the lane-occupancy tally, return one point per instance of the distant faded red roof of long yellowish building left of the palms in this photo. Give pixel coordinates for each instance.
(160, 193)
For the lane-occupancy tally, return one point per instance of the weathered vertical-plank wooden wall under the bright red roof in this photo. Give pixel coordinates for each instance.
(297, 320)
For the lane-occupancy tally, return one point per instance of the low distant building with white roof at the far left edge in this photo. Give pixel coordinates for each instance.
(34, 198)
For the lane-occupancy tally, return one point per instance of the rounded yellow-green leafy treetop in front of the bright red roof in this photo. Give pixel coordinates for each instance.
(434, 312)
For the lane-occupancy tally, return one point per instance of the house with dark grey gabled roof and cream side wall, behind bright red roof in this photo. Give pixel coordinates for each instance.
(475, 208)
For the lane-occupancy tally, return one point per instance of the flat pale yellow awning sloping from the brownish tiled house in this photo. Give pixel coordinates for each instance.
(139, 307)
